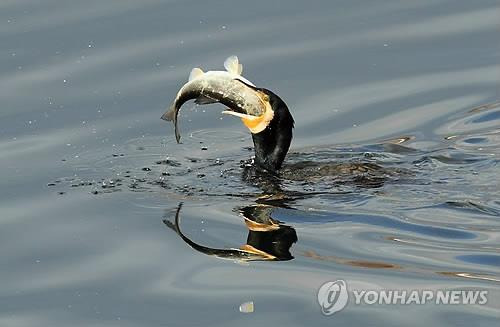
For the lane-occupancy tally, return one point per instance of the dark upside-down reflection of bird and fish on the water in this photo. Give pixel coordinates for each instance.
(267, 240)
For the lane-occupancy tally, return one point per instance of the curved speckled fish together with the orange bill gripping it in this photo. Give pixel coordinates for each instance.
(229, 88)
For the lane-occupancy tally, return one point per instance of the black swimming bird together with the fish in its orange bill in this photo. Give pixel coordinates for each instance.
(267, 117)
